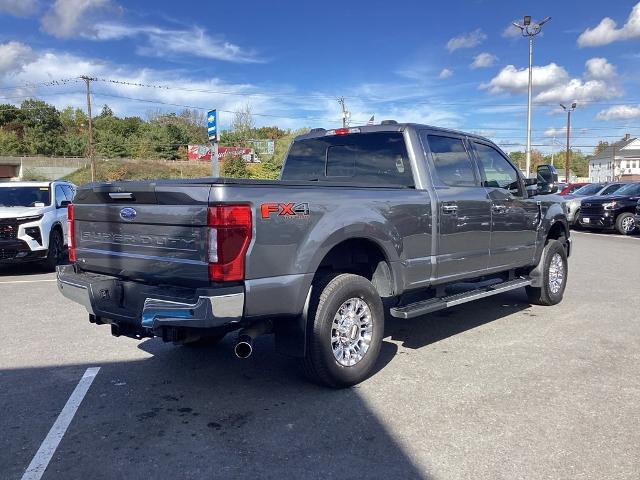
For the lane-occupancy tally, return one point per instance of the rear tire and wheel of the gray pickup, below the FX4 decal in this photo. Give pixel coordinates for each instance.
(346, 326)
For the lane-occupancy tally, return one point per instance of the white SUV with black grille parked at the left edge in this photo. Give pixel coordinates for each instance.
(33, 221)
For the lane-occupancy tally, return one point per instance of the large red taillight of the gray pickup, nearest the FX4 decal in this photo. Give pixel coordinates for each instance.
(229, 238)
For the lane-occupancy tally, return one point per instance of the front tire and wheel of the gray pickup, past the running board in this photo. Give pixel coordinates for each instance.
(554, 272)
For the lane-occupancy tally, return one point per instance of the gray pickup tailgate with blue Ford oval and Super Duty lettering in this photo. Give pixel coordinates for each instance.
(145, 232)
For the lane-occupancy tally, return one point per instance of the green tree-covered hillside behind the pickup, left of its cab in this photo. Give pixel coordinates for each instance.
(38, 128)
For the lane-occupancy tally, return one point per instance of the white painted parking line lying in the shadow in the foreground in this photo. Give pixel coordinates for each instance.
(44, 454)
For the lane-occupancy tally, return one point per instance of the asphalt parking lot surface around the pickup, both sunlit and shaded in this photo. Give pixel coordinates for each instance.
(492, 389)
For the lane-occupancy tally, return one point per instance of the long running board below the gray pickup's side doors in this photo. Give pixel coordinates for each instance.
(434, 304)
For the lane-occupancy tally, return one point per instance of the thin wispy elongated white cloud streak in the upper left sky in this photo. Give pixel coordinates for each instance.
(163, 42)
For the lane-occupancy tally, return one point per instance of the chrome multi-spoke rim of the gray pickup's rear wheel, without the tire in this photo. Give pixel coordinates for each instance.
(351, 332)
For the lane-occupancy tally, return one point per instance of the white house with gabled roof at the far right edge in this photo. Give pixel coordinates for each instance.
(618, 162)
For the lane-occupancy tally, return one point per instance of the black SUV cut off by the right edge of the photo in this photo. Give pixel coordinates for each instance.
(612, 212)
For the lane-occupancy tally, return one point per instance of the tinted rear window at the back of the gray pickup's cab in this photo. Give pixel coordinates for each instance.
(378, 158)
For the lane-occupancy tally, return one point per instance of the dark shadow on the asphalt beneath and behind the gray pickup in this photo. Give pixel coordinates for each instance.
(187, 412)
